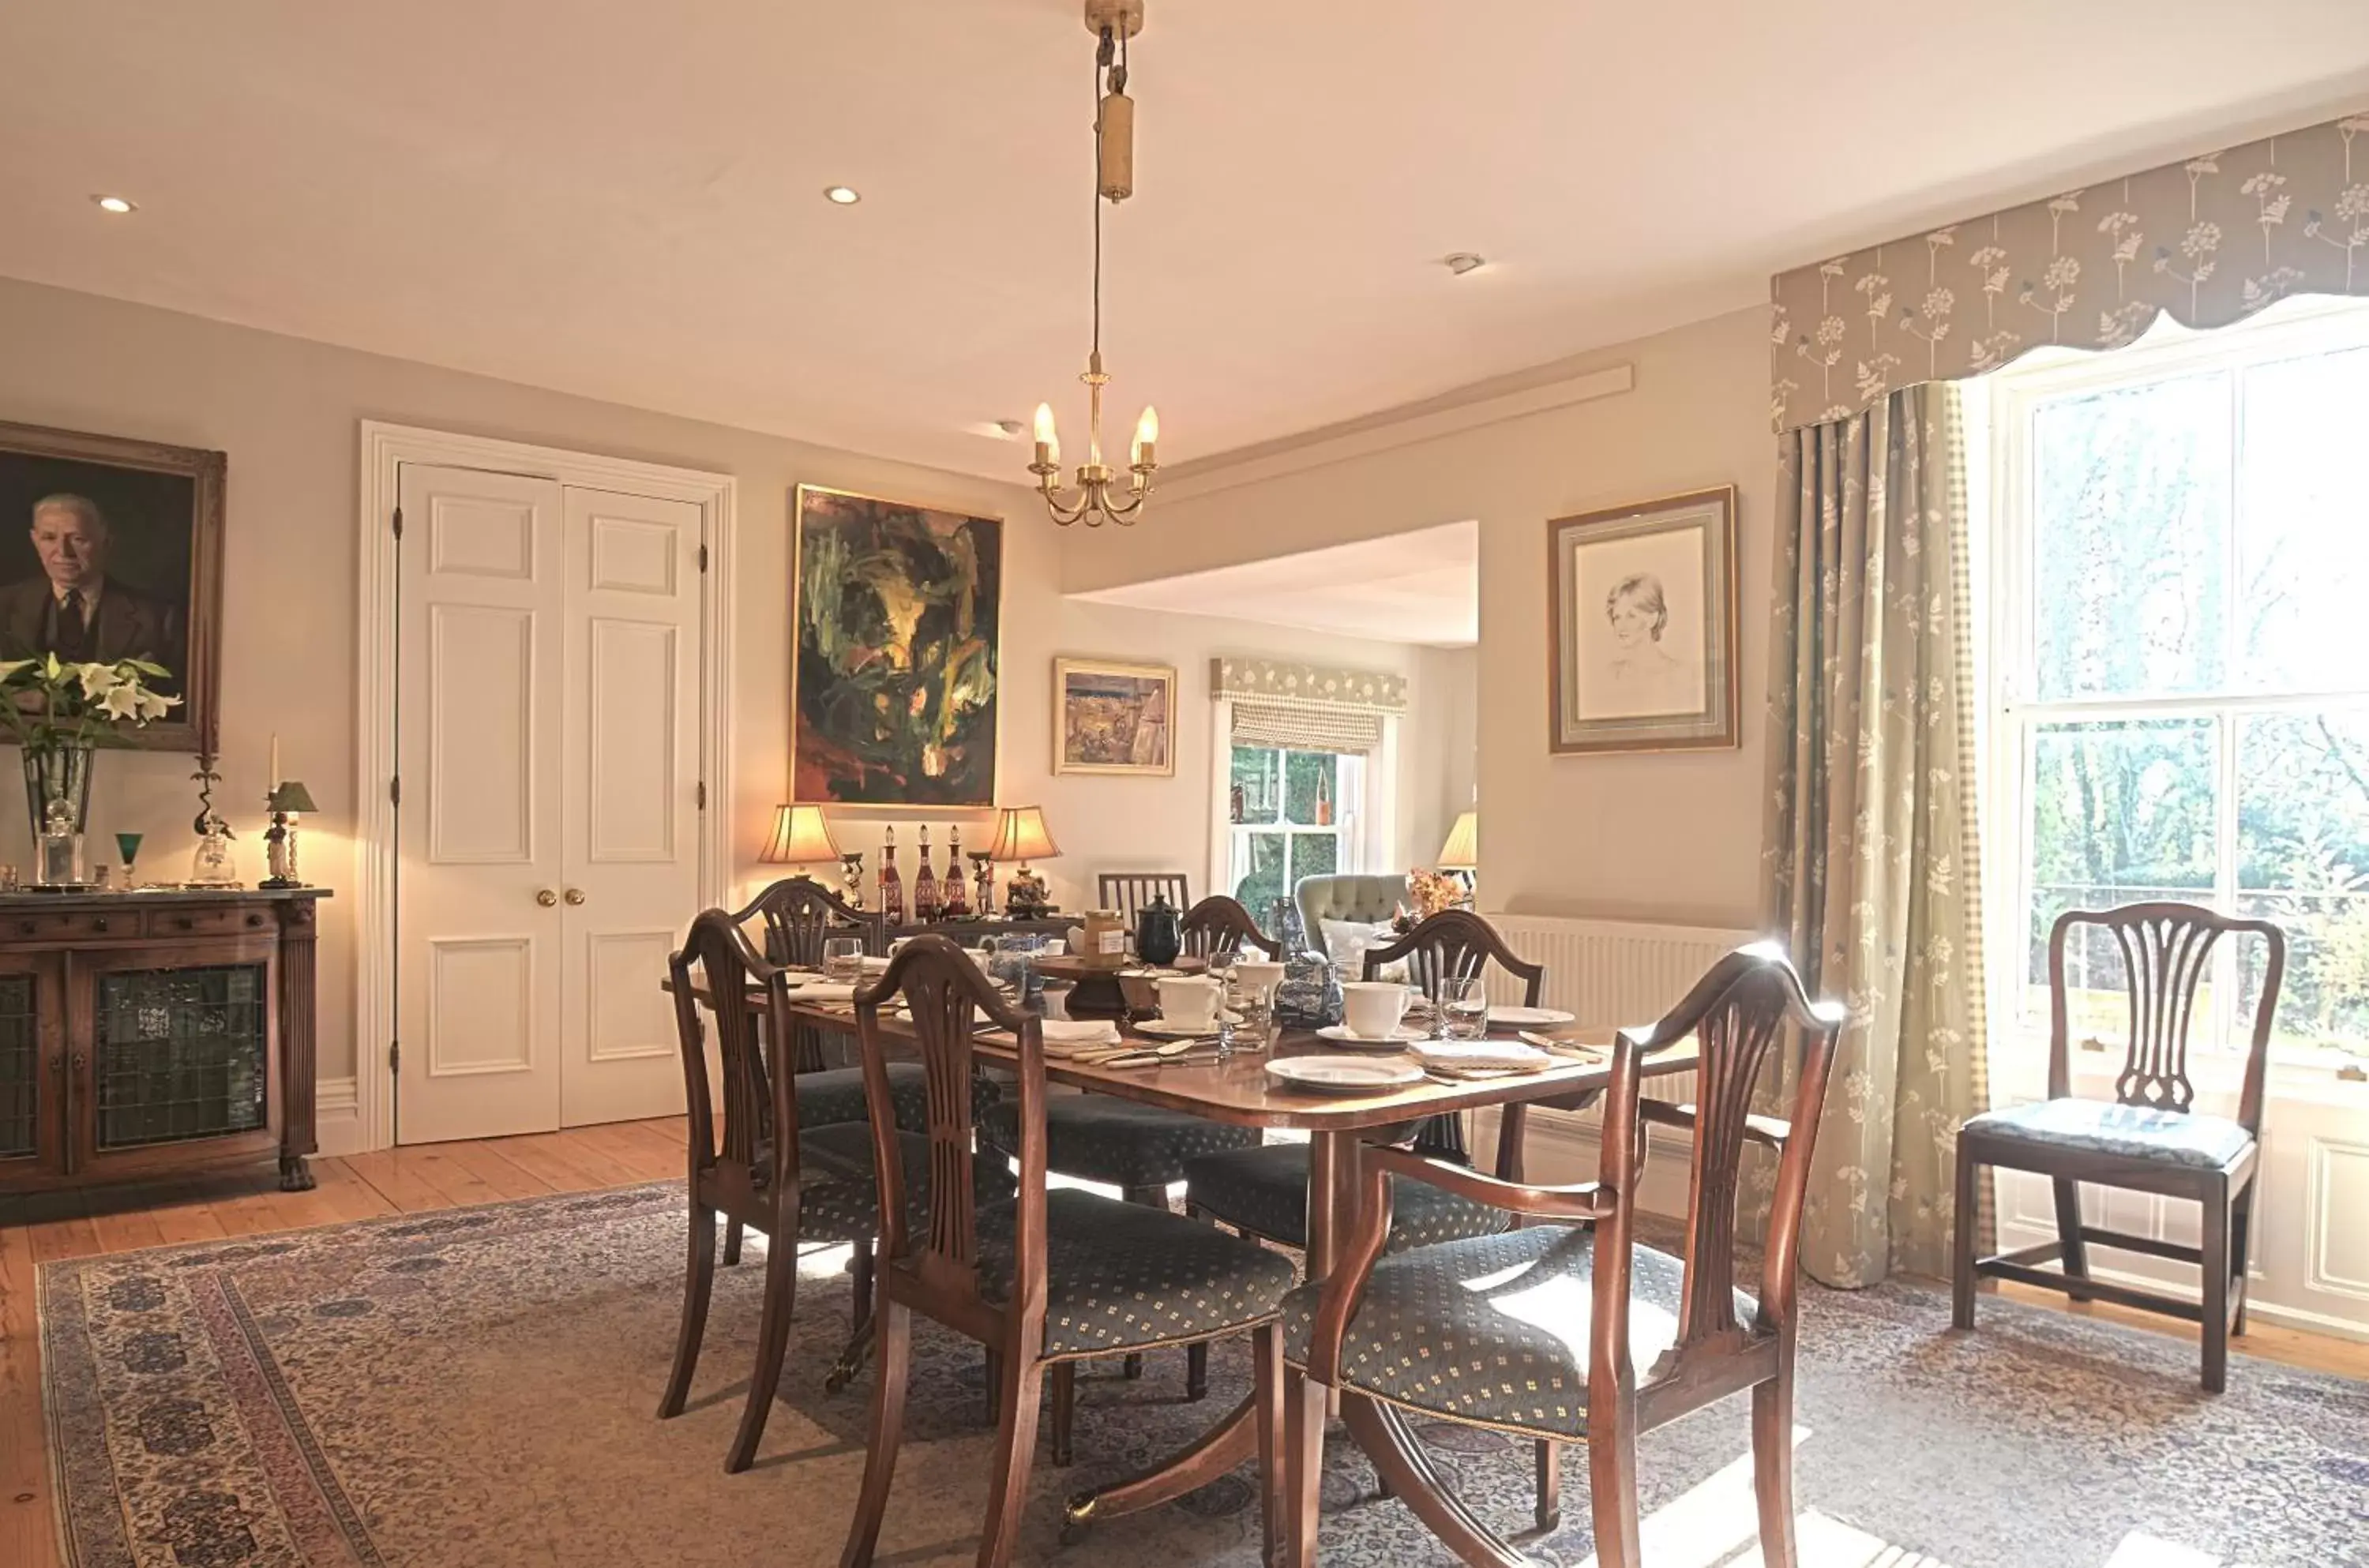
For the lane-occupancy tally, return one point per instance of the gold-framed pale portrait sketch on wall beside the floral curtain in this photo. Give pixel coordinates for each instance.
(1643, 610)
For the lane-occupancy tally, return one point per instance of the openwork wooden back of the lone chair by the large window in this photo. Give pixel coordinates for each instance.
(2166, 951)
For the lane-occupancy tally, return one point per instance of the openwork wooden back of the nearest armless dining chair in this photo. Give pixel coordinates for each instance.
(946, 994)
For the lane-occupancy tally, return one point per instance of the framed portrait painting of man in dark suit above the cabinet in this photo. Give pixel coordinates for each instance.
(113, 551)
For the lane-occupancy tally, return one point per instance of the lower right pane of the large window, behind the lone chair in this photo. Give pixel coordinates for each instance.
(2304, 861)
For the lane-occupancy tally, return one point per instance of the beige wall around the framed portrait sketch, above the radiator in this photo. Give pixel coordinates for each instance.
(1667, 837)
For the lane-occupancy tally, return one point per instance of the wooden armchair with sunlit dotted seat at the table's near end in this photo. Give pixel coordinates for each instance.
(1569, 1330)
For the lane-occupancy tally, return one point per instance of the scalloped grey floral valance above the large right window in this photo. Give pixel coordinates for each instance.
(2211, 240)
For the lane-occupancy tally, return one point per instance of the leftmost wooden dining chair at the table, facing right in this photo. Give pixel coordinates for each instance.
(752, 1171)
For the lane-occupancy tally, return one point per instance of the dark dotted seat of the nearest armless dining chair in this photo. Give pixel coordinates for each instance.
(1126, 1275)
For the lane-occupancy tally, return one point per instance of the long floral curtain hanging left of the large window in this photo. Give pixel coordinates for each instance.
(1870, 842)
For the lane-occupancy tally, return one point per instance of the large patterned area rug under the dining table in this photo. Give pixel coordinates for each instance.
(477, 1387)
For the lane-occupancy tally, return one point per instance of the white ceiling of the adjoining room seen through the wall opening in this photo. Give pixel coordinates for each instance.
(1420, 586)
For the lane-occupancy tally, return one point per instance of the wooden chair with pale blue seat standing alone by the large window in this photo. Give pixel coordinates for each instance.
(2147, 1138)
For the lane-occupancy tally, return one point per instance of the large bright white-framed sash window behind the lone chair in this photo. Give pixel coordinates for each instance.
(2181, 667)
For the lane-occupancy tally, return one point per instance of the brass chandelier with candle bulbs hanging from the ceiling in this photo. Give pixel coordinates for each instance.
(1098, 499)
